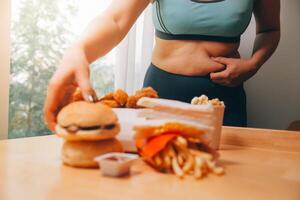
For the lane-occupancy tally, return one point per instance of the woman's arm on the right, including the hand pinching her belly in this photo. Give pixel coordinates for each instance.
(267, 16)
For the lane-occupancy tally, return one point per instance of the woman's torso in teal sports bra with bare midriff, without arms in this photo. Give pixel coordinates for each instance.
(216, 27)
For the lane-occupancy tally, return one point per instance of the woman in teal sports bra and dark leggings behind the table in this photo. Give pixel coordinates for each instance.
(196, 50)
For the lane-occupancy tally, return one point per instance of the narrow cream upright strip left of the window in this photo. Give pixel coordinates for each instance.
(4, 66)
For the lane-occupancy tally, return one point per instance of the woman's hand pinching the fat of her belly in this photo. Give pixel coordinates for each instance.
(236, 72)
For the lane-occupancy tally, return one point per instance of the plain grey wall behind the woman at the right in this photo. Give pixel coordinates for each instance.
(274, 93)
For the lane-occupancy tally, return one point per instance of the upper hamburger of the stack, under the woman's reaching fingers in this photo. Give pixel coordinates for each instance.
(81, 120)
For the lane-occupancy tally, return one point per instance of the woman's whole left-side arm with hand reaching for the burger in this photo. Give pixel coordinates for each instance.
(101, 35)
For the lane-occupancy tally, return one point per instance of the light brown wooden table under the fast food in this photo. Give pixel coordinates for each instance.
(260, 164)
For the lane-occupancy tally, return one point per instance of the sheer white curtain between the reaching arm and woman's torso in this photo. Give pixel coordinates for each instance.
(133, 54)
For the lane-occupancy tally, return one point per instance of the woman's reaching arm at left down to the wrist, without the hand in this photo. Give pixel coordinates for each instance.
(108, 29)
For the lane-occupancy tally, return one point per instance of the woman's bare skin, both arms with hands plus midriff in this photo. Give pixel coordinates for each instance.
(220, 60)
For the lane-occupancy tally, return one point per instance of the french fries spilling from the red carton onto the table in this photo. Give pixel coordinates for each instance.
(182, 160)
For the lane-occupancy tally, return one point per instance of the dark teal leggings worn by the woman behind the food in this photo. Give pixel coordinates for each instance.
(184, 88)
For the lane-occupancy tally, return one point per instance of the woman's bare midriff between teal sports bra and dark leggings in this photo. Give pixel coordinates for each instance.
(191, 58)
